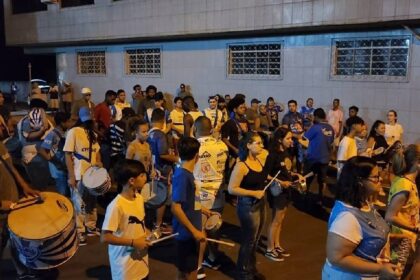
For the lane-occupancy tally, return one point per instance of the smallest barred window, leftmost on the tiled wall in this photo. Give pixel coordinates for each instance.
(91, 62)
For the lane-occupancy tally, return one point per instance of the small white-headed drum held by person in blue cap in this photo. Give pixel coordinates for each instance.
(96, 180)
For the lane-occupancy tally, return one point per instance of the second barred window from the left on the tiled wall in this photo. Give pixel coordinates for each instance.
(144, 61)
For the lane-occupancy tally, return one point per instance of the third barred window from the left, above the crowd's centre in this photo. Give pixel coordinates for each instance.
(261, 61)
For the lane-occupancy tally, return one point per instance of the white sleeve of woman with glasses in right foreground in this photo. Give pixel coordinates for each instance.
(347, 226)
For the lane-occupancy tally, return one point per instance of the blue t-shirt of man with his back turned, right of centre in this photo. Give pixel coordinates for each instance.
(320, 136)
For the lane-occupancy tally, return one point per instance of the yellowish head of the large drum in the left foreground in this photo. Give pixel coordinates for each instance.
(43, 220)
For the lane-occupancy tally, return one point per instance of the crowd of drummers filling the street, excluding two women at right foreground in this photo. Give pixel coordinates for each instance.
(186, 159)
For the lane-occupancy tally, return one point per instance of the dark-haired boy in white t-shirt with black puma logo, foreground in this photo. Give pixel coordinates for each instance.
(124, 226)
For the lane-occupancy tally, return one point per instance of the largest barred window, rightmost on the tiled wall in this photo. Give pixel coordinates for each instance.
(383, 59)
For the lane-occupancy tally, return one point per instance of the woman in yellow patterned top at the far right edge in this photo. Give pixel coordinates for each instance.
(403, 210)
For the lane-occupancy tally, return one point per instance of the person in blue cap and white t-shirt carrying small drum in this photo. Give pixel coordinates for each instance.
(82, 151)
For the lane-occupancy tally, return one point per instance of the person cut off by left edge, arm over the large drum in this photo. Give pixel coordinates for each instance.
(10, 179)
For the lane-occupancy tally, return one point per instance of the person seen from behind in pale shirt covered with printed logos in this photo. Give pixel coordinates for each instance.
(208, 175)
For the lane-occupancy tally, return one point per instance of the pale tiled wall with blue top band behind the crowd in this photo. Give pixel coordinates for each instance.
(306, 68)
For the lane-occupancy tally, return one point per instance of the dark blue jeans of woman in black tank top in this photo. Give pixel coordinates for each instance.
(251, 214)
